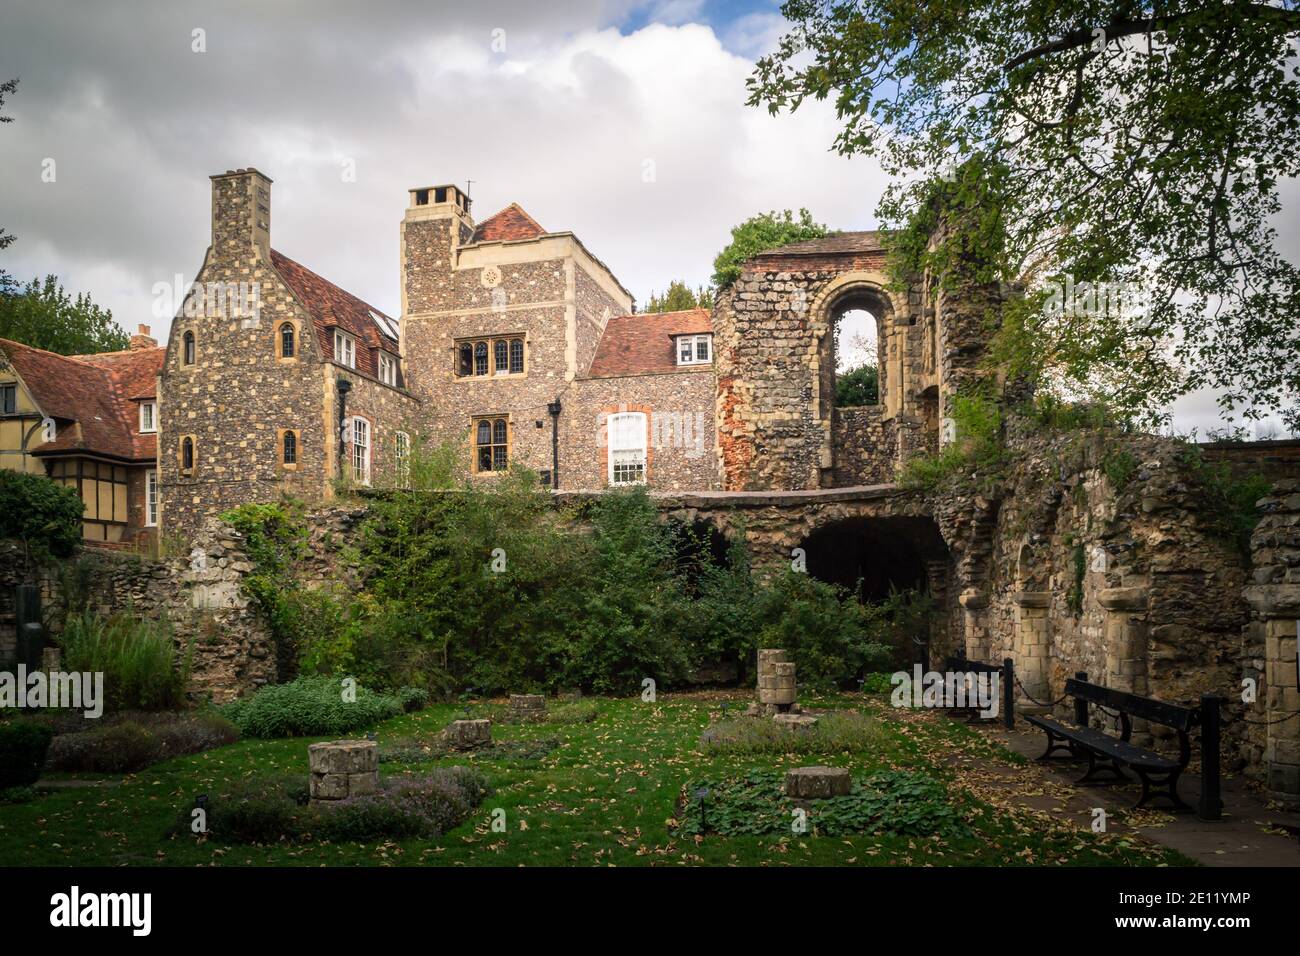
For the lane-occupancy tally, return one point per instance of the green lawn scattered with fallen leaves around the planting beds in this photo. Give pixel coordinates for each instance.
(606, 795)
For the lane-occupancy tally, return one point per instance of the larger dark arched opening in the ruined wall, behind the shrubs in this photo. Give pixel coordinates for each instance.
(877, 557)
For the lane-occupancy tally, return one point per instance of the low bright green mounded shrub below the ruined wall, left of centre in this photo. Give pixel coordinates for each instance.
(309, 707)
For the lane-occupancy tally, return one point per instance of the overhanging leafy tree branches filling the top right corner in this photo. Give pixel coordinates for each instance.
(1136, 145)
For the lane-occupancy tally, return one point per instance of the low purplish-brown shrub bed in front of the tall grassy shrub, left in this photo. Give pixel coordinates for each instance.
(133, 745)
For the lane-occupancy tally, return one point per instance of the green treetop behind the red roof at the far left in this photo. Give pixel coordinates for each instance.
(45, 317)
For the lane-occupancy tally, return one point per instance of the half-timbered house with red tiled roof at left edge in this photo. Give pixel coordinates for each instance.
(90, 423)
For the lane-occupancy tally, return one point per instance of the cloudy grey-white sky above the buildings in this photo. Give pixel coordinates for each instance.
(561, 106)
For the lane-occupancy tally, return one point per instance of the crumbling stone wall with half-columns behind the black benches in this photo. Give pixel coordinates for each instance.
(1138, 586)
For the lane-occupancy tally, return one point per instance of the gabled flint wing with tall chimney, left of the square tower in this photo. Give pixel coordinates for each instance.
(275, 379)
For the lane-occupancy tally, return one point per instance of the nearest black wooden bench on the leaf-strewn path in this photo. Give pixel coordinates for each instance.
(1110, 755)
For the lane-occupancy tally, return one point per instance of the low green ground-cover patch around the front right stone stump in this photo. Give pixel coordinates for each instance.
(889, 802)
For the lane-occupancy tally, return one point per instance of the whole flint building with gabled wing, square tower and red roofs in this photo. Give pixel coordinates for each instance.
(514, 341)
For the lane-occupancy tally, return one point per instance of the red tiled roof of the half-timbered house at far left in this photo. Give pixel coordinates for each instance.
(92, 397)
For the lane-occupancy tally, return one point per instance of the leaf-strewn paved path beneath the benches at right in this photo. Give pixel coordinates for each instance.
(1250, 834)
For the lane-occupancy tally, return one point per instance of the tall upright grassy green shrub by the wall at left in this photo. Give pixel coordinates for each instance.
(137, 657)
